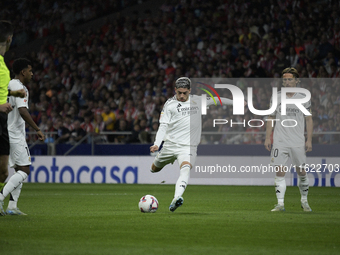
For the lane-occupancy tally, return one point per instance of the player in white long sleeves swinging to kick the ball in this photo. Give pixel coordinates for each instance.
(180, 128)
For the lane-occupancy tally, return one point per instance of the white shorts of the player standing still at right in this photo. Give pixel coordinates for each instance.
(280, 155)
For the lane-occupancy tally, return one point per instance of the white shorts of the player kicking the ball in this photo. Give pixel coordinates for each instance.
(172, 151)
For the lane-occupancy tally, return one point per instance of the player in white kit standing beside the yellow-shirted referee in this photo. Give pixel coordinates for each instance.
(19, 158)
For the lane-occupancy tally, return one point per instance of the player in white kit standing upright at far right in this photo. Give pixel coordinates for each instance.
(289, 141)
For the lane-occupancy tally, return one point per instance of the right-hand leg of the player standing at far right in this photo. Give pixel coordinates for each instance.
(299, 159)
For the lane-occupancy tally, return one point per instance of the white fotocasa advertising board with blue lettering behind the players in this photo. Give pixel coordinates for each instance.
(218, 170)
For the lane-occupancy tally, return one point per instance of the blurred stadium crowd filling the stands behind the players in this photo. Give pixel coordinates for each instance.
(117, 77)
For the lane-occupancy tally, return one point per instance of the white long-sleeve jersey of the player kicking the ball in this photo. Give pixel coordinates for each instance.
(181, 122)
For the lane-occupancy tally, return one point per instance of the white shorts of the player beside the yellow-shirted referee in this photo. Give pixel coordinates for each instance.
(19, 155)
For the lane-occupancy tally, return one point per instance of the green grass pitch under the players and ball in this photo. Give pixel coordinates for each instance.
(104, 219)
